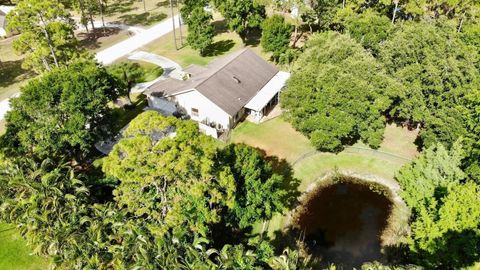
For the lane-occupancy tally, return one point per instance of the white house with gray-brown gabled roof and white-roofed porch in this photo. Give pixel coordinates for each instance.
(222, 93)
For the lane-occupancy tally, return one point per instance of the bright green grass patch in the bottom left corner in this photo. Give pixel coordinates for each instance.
(14, 253)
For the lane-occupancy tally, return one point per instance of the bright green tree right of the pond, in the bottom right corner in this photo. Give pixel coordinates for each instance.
(446, 211)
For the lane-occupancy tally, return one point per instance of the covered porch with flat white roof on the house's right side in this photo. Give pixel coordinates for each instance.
(267, 98)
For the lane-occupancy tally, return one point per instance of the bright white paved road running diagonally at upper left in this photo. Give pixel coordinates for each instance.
(109, 55)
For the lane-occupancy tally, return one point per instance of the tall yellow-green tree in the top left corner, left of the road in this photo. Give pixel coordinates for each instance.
(46, 34)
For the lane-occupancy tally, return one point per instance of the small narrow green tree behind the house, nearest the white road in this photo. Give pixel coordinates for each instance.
(200, 30)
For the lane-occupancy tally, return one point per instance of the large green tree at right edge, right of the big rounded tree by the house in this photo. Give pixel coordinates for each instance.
(437, 69)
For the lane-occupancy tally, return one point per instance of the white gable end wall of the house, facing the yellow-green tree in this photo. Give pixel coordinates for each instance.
(207, 110)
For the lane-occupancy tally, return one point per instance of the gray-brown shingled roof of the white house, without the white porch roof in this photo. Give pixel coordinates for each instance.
(229, 82)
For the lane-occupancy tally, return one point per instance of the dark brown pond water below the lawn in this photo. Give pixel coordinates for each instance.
(343, 223)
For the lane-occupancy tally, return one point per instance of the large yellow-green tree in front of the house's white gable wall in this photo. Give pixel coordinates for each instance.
(165, 170)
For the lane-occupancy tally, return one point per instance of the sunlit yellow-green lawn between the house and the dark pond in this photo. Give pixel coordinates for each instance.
(277, 137)
